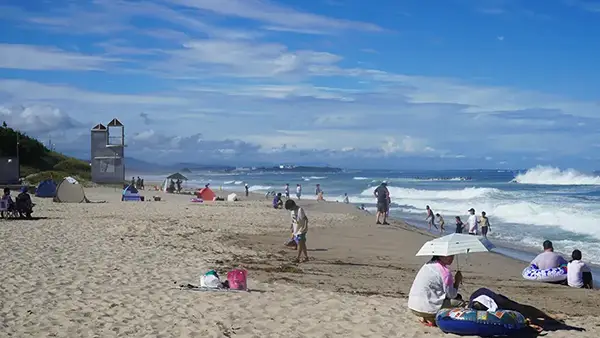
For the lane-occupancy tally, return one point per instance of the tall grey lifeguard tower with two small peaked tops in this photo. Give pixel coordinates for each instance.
(108, 152)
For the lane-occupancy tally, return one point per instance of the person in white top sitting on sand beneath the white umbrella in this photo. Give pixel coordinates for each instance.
(434, 288)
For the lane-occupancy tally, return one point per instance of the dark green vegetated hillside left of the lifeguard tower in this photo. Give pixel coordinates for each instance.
(38, 162)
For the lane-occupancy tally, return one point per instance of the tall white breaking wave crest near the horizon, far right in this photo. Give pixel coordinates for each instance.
(553, 176)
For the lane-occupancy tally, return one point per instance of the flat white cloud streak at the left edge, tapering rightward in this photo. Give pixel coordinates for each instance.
(15, 56)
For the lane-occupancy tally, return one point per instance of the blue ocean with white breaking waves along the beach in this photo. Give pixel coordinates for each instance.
(525, 207)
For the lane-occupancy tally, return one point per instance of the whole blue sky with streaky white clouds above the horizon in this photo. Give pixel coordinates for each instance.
(406, 84)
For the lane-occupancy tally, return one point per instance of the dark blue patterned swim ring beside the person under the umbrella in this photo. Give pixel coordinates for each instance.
(471, 322)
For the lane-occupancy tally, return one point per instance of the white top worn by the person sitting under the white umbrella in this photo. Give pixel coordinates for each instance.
(431, 286)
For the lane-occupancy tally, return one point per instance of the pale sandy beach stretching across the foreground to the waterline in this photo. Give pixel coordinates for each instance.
(113, 270)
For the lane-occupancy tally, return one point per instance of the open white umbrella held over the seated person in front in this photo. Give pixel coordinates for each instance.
(455, 244)
